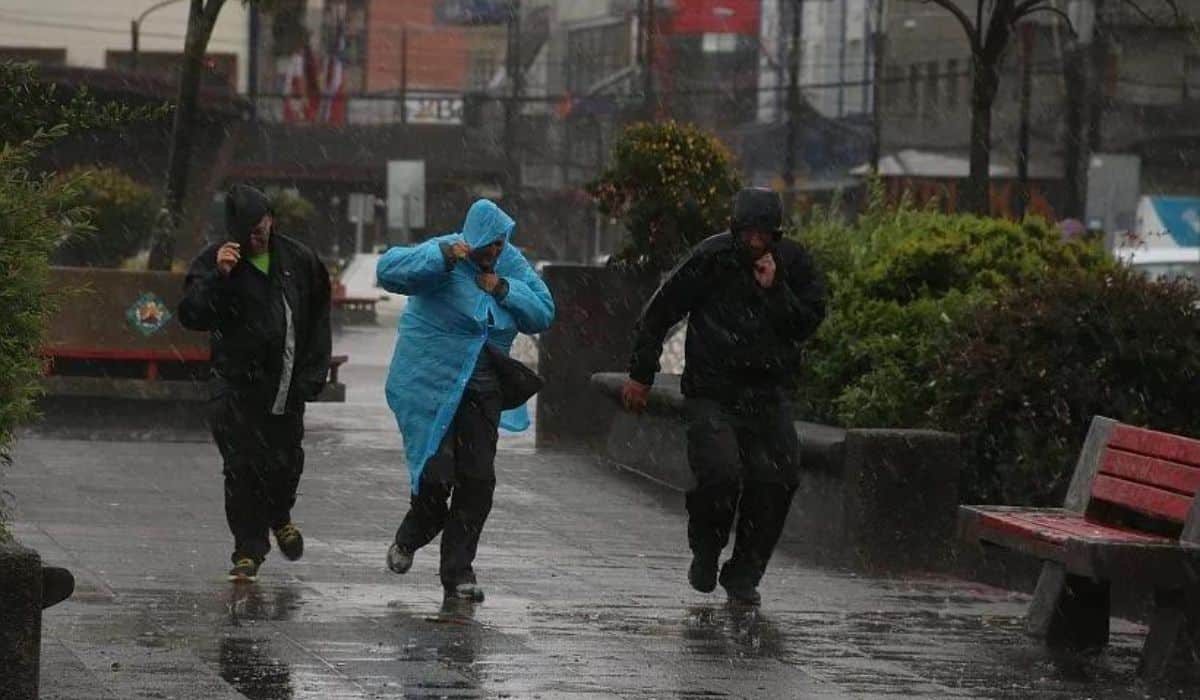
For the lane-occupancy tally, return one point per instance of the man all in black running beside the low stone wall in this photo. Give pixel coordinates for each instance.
(752, 300)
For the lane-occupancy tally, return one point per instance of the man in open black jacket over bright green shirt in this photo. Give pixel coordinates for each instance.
(265, 300)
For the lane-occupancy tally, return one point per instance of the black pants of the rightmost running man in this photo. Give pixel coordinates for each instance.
(746, 462)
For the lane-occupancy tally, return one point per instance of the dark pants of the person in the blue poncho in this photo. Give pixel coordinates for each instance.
(457, 488)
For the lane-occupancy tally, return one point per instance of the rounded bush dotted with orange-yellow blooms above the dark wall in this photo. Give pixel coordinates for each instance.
(671, 184)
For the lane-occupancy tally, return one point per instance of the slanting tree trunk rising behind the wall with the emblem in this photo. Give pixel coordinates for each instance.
(201, 21)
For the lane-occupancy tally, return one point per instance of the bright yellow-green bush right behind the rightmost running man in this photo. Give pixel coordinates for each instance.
(903, 283)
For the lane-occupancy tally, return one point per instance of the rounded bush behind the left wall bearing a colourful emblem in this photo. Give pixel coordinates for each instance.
(122, 216)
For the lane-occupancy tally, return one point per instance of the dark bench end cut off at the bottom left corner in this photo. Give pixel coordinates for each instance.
(27, 588)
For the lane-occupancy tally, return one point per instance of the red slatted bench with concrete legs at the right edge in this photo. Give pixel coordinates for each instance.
(1131, 513)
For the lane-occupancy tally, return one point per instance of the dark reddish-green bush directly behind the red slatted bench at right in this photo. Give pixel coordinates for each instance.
(1027, 375)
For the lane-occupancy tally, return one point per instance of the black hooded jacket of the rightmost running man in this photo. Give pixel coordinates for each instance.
(742, 339)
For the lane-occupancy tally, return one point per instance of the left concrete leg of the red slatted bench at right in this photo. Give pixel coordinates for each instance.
(1069, 609)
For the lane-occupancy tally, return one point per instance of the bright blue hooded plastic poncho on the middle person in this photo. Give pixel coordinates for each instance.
(446, 325)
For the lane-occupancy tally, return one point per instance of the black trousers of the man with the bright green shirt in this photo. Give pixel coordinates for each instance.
(263, 462)
